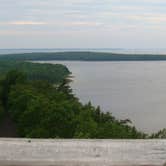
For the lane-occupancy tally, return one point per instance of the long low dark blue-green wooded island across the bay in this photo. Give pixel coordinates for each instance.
(84, 56)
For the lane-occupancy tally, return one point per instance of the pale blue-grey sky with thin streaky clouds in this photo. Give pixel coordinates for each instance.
(83, 24)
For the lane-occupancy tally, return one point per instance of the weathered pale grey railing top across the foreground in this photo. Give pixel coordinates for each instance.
(24, 152)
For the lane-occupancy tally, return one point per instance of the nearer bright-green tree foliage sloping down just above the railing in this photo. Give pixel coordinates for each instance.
(42, 110)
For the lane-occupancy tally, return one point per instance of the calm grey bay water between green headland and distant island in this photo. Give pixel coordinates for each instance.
(135, 90)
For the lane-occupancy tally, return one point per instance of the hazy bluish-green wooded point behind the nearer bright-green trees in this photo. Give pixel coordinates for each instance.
(35, 71)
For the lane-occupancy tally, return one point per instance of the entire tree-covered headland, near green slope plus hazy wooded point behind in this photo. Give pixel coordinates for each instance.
(39, 101)
